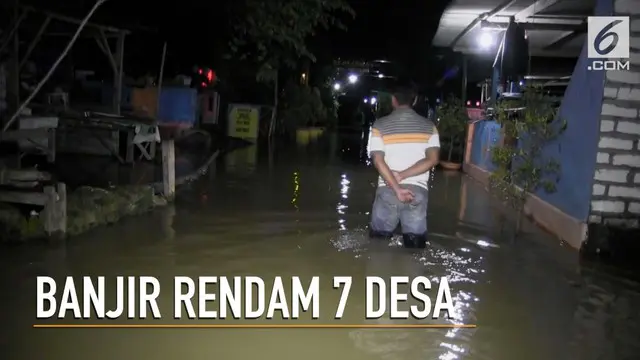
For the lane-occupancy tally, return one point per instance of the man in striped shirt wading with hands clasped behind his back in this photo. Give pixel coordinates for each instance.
(404, 147)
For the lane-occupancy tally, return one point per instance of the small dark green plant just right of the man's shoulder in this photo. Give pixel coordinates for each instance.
(453, 121)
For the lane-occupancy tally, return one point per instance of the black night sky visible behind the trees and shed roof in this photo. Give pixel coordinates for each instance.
(196, 31)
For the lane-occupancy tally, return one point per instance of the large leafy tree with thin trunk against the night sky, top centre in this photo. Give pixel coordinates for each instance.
(273, 34)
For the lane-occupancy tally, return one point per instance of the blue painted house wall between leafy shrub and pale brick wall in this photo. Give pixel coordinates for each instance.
(577, 147)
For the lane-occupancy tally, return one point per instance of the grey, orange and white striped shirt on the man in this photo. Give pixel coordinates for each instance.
(403, 136)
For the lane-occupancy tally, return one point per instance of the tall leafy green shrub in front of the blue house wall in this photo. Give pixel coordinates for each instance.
(528, 124)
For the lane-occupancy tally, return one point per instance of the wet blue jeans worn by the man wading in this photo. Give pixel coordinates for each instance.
(388, 212)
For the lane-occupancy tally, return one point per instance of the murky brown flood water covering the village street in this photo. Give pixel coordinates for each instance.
(304, 212)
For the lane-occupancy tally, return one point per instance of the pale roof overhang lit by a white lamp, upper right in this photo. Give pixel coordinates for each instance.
(554, 28)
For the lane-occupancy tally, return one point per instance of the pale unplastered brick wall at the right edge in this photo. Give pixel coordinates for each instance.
(616, 190)
